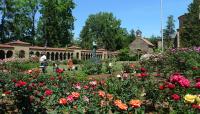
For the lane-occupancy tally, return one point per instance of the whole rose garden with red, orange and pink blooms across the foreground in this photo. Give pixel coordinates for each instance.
(166, 82)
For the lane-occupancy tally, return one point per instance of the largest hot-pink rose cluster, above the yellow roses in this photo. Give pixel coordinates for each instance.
(181, 80)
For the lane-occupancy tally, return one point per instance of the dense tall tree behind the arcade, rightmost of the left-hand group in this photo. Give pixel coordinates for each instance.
(57, 22)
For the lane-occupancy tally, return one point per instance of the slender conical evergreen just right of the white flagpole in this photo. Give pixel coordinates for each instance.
(169, 31)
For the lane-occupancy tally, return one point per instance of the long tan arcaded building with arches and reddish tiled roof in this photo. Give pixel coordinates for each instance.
(19, 49)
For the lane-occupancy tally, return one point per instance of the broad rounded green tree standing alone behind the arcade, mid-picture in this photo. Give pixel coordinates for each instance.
(105, 29)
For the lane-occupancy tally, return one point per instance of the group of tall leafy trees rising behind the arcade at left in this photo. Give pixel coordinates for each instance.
(18, 21)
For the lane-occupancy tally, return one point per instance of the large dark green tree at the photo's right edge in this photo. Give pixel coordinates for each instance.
(190, 31)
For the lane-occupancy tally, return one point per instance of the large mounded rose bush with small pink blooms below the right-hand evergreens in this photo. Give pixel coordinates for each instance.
(176, 60)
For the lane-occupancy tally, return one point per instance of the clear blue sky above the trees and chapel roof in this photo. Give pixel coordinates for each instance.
(134, 14)
